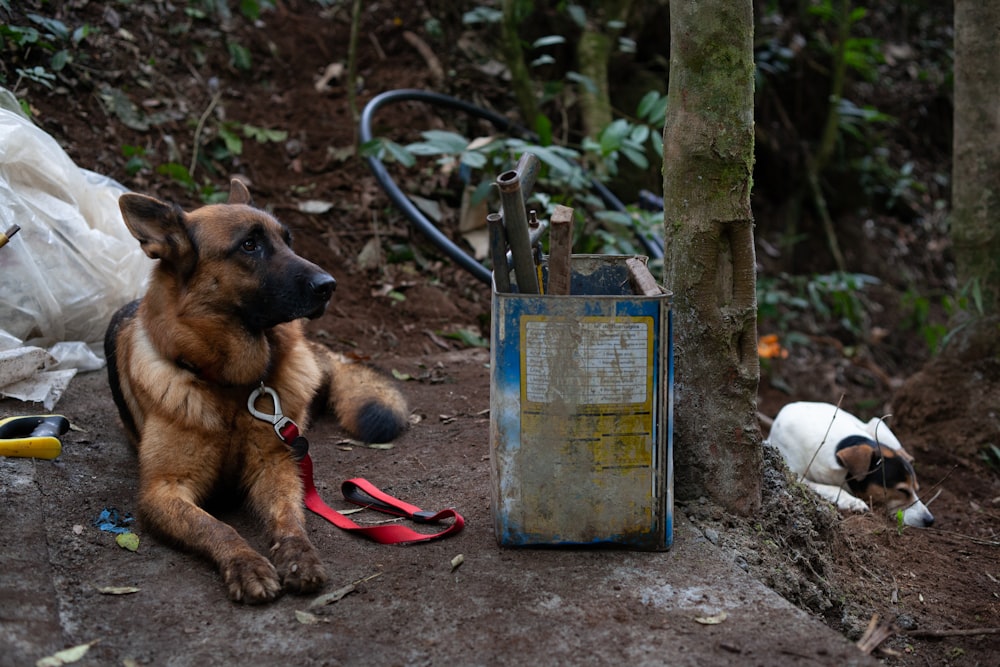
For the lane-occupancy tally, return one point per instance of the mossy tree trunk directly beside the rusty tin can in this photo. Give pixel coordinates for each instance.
(710, 260)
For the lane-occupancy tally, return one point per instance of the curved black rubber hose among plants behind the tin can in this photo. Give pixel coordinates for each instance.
(419, 220)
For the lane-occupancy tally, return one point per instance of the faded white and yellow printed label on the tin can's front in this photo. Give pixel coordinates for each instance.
(587, 422)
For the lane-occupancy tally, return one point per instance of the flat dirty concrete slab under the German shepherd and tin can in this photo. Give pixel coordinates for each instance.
(500, 607)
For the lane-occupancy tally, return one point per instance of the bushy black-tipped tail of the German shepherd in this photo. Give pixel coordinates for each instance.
(365, 400)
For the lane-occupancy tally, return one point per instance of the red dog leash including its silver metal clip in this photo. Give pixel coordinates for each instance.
(358, 491)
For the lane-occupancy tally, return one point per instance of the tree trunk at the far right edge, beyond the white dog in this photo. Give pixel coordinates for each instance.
(976, 151)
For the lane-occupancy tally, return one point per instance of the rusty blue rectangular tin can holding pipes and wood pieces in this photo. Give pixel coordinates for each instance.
(581, 413)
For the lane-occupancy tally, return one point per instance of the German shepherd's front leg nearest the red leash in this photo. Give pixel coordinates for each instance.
(275, 493)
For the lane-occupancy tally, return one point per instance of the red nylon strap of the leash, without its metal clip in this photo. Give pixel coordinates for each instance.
(362, 492)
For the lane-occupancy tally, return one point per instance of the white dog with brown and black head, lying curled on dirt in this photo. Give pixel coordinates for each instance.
(845, 460)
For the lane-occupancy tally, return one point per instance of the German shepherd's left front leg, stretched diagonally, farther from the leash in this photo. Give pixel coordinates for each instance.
(170, 509)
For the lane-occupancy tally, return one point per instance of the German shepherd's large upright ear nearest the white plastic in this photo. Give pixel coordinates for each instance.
(159, 227)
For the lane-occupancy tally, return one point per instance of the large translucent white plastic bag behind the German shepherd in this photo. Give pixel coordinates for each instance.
(73, 263)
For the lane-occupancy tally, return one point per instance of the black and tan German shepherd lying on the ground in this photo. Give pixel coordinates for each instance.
(223, 317)
